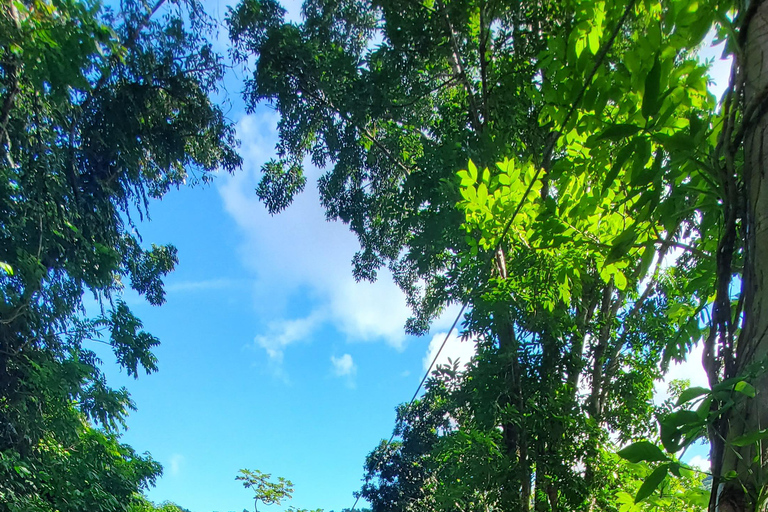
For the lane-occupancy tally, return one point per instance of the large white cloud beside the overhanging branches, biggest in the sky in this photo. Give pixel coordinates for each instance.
(299, 254)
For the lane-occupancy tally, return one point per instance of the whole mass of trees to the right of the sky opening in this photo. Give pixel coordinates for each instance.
(606, 225)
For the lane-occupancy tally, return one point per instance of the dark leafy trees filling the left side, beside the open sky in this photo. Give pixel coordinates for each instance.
(100, 111)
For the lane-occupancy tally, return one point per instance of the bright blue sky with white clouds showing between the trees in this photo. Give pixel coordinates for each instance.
(272, 357)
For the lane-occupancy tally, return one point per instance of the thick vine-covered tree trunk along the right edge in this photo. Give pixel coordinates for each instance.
(748, 463)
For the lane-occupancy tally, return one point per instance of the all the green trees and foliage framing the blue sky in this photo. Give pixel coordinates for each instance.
(558, 167)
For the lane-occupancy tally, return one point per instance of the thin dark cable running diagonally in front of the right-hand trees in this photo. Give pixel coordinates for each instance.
(546, 163)
